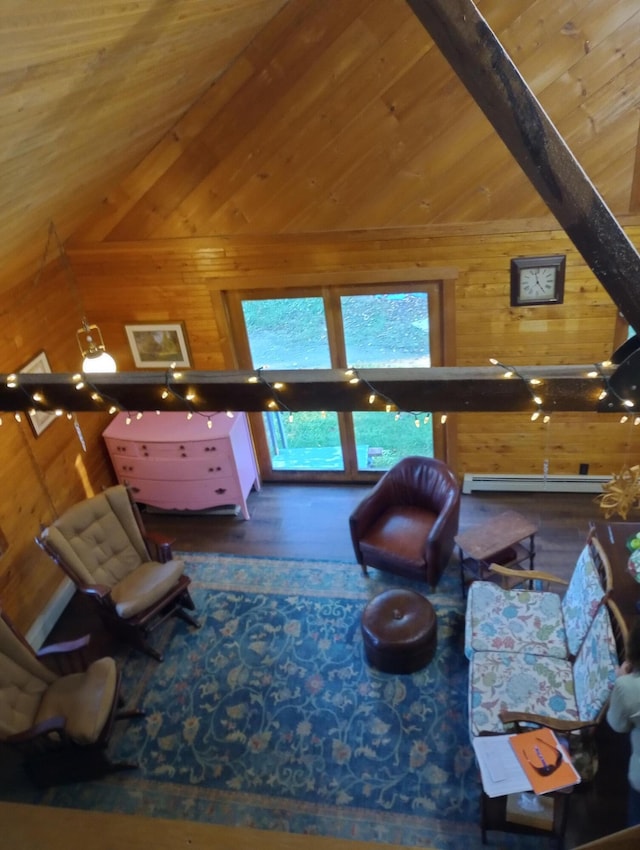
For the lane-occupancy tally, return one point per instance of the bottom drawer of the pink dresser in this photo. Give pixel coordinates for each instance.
(186, 495)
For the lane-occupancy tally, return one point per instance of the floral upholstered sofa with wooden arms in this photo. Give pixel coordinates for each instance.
(537, 657)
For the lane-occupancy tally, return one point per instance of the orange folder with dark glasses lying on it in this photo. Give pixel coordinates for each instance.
(540, 749)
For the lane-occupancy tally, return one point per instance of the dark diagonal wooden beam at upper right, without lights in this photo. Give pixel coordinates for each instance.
(475, 54)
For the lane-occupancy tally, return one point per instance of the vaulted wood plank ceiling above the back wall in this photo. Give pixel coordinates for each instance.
(88, 90)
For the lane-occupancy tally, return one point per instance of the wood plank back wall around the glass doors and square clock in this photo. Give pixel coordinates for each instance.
(184, 279)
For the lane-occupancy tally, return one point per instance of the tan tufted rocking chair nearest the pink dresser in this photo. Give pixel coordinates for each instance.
(101, 544)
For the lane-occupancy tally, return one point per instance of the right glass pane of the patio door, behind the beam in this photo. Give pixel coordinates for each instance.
(388, 330)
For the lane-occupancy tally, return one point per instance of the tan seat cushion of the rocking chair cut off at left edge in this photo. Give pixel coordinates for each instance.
(85, 700)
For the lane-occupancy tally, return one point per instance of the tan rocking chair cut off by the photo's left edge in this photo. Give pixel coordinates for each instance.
(59, 723)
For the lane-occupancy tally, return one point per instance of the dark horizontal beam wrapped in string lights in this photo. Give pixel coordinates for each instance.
(444, 389)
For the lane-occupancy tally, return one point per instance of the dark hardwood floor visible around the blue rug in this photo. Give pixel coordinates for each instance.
(301, 520)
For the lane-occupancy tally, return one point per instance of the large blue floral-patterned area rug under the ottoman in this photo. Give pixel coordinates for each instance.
(268, 716)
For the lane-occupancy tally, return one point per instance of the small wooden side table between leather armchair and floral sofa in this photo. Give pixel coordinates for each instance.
(507, 539)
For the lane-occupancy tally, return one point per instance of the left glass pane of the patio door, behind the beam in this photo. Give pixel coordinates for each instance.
(291, 333)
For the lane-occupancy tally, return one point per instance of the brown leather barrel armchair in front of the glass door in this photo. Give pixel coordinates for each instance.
(407, 523)
